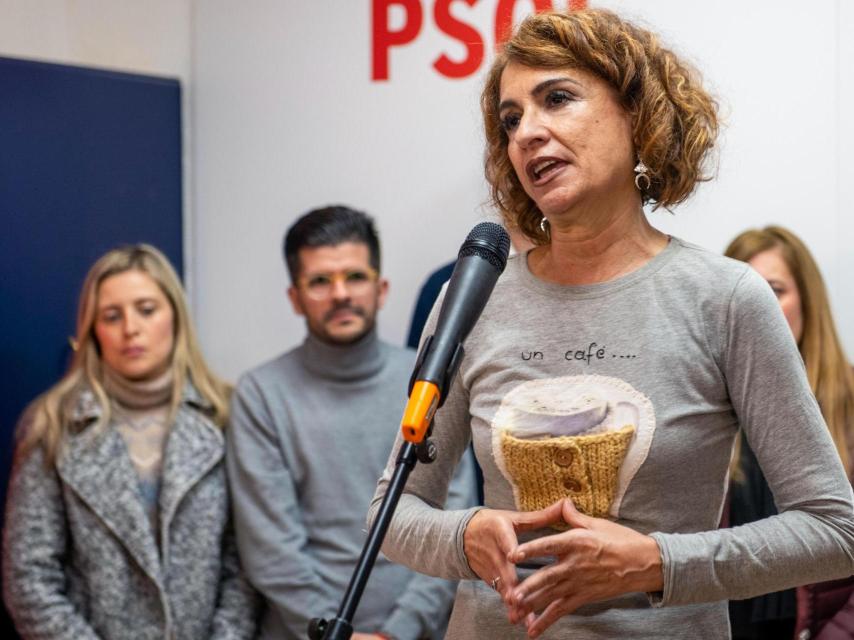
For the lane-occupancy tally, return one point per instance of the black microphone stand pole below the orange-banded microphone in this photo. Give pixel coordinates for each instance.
(341, 626)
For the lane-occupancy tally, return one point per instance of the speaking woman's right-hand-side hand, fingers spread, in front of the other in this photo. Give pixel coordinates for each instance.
(595, 560)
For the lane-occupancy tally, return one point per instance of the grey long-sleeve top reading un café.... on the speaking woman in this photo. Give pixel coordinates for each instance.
(688, 348)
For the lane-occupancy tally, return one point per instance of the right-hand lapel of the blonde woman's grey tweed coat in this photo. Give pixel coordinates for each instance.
(195, 446)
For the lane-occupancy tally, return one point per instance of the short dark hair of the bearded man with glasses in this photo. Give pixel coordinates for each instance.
(330, 226)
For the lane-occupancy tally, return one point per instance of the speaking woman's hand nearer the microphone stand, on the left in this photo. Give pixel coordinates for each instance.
(489, 538)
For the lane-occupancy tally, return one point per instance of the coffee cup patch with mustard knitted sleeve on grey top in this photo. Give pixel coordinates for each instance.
(578, 437)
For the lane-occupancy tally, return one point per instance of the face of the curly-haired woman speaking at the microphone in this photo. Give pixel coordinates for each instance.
(569, 140)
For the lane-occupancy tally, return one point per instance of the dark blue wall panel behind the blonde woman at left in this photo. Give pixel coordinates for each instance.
(89, 159)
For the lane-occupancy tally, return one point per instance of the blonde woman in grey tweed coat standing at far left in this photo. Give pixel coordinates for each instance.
(117, 522)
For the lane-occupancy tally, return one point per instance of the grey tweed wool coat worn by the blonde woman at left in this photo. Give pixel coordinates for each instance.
(80, 560)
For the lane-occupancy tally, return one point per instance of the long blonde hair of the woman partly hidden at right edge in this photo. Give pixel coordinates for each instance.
(828, 370)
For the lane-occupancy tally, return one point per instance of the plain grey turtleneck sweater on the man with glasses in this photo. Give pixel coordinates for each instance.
(310, 434)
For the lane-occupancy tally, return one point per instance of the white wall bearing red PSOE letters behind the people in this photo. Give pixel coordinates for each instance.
(287, 118)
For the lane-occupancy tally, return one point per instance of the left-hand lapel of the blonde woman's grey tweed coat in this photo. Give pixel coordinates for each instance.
(96, 466)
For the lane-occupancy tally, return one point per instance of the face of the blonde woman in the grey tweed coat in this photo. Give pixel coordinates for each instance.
(134, 325)
